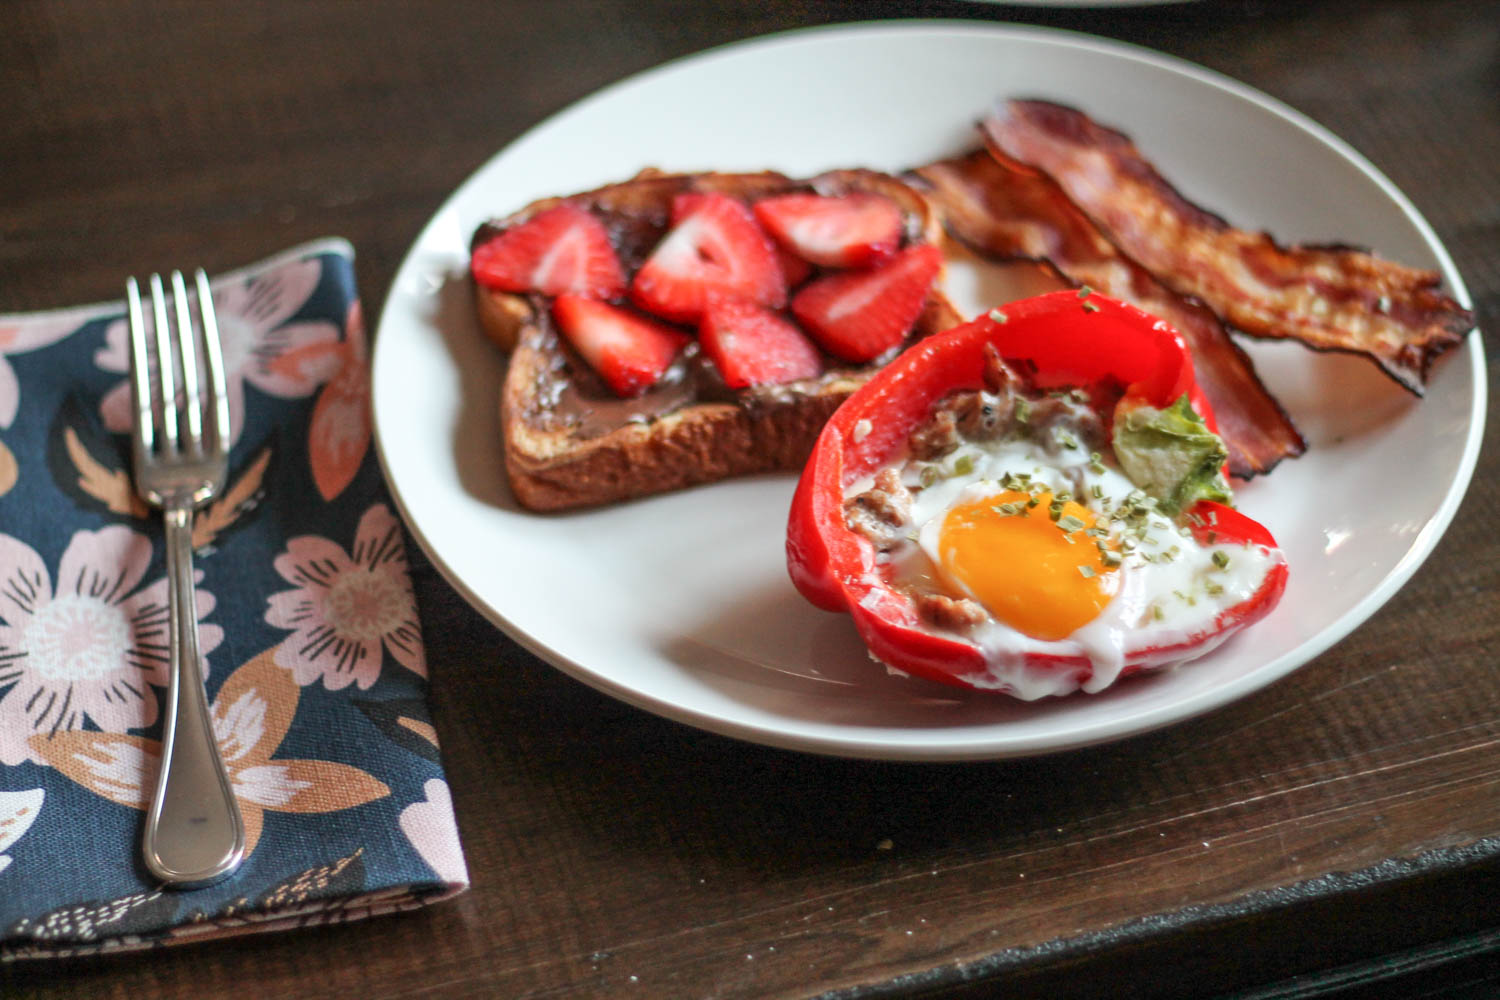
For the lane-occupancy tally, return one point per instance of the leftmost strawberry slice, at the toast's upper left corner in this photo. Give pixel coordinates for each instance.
(562, 251)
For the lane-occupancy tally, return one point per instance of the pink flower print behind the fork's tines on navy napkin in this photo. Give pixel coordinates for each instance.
(283, 359)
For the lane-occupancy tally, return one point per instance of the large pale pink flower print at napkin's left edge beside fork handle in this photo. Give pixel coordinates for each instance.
(89, 648)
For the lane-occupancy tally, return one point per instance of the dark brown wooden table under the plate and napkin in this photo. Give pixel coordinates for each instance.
(1340, 828)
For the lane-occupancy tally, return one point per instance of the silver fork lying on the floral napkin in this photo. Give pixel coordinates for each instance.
(194, 831)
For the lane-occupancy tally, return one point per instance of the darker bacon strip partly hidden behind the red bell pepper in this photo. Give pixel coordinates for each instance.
(1013, 214)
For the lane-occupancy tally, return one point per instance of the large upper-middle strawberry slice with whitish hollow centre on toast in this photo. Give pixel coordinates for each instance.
(715, 248)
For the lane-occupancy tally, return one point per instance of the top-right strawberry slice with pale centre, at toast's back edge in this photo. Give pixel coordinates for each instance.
(848, 230)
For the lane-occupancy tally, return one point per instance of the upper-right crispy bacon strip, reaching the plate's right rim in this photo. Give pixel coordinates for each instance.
(1328, 298)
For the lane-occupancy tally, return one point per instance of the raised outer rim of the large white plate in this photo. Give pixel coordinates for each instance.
(940, 750)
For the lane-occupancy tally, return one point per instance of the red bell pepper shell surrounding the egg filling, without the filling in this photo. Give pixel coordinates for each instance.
(1070, 340)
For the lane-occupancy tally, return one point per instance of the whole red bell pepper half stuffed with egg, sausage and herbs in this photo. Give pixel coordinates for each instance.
(1033, 503)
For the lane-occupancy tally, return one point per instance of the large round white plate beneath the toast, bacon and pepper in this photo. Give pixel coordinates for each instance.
(682, 605)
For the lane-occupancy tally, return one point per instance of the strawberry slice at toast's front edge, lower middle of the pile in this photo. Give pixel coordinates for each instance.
(752, 346)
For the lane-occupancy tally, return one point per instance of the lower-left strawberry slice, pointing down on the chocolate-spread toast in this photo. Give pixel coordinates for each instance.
(629, 352)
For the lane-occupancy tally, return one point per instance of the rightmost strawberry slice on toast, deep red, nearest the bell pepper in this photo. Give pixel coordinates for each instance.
(860, 316)
